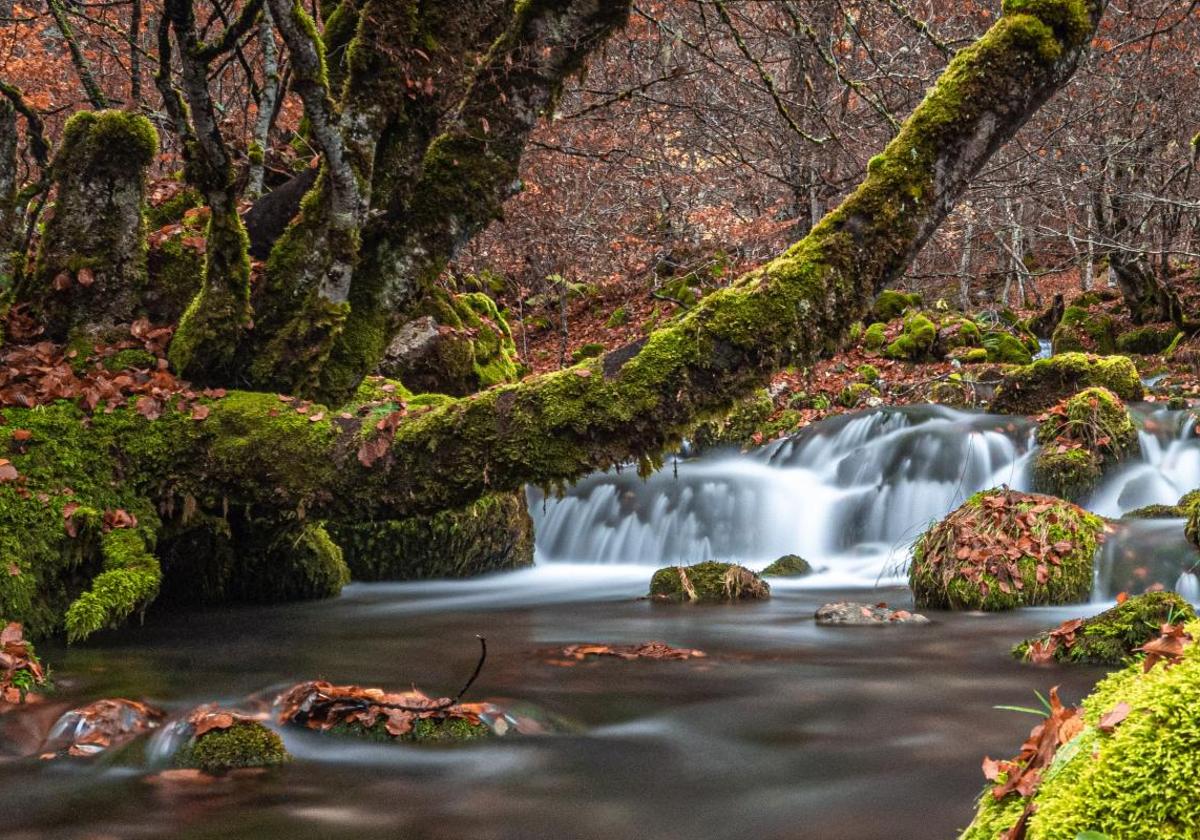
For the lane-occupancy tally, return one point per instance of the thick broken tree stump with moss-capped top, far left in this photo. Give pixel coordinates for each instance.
(92, 268)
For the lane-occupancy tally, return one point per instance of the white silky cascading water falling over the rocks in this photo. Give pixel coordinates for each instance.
(851, 494)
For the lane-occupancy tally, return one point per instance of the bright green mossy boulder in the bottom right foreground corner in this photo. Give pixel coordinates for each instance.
(1127, 773)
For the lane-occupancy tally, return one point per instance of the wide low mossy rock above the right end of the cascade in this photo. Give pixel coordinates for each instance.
(1035, 388)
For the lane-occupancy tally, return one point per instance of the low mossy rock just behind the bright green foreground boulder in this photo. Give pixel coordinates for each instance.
(1111, 638)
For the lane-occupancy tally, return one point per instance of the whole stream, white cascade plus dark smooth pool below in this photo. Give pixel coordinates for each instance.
(784, 731)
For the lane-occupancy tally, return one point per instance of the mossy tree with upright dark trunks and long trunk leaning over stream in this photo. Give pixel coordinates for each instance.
(422, 115)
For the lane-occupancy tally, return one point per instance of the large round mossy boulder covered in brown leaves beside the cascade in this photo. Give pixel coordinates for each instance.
(1003, 550)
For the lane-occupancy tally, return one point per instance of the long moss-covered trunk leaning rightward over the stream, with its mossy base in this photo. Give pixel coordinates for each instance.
(257, 457)
